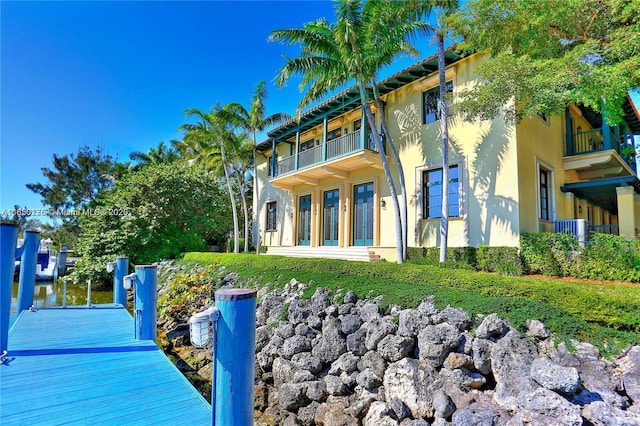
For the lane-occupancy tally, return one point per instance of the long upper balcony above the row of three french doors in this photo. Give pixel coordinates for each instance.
(336, 157)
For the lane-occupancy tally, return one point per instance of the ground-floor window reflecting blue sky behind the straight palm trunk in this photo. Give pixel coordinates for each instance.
(432, 193)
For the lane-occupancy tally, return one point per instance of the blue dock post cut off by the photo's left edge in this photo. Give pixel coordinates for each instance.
(8, 240)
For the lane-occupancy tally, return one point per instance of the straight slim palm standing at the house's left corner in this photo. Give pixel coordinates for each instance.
(254, 121)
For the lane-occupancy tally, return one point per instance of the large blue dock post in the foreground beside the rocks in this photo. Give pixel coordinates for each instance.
(234, 357)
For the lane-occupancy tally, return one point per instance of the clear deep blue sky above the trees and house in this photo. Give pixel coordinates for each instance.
(120, 74)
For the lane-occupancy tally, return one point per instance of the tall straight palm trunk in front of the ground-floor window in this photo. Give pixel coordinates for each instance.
(444, 127)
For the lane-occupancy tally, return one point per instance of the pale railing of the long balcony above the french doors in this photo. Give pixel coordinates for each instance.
(335, 148)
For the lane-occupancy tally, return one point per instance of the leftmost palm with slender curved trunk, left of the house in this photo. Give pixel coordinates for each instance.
(209, 136)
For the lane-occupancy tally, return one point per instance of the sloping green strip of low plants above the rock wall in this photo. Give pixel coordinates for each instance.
(605, 314)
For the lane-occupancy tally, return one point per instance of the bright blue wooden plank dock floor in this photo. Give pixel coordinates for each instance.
(82, 365)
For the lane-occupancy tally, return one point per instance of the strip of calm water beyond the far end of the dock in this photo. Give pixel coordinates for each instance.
(48, 294)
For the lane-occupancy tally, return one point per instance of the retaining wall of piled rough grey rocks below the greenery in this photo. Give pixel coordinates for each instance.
(340, 361)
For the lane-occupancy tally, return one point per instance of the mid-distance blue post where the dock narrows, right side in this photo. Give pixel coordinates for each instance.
(145, 303)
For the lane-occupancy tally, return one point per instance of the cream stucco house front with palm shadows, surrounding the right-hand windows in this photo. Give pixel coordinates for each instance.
(485, 152)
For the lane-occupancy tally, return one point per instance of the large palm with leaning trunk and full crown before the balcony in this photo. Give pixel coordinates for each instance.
(355, 47)
